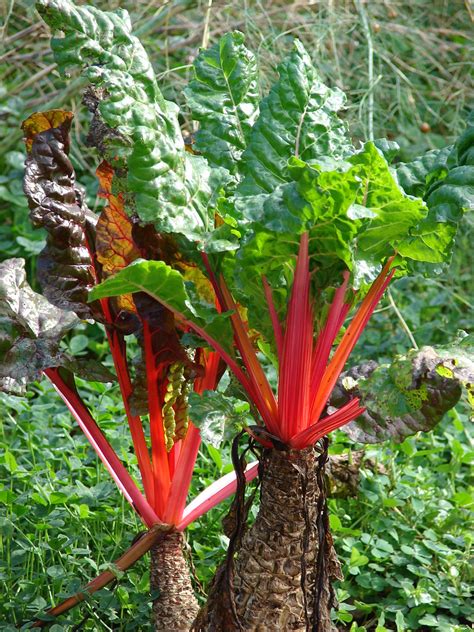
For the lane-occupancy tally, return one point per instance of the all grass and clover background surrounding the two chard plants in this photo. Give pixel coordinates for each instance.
(405, 540)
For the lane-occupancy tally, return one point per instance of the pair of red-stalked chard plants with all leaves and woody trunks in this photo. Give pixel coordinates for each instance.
(262, 244)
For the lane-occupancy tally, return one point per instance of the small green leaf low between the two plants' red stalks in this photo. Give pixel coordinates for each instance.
(218, 416)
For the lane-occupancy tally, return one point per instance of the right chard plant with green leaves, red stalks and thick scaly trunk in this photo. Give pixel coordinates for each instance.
(322, 227)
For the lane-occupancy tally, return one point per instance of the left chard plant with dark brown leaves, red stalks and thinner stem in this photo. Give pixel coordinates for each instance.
(81, 250)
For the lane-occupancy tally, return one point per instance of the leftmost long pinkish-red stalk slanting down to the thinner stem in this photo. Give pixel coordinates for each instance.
(102, 448)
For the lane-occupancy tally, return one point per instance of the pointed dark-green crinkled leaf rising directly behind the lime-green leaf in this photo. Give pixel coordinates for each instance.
(298, 118)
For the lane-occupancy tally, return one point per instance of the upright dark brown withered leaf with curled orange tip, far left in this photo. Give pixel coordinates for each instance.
(65, 269)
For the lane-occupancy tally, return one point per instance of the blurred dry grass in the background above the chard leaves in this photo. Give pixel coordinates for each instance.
(422, 74)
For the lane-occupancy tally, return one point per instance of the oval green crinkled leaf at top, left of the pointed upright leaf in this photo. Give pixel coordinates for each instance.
(223, 97)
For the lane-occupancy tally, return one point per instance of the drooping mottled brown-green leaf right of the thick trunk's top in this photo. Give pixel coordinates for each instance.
(410, 395)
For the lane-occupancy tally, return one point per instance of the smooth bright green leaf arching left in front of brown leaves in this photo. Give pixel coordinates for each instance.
(167, 286)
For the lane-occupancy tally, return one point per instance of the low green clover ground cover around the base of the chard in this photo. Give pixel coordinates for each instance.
(404, 541)
